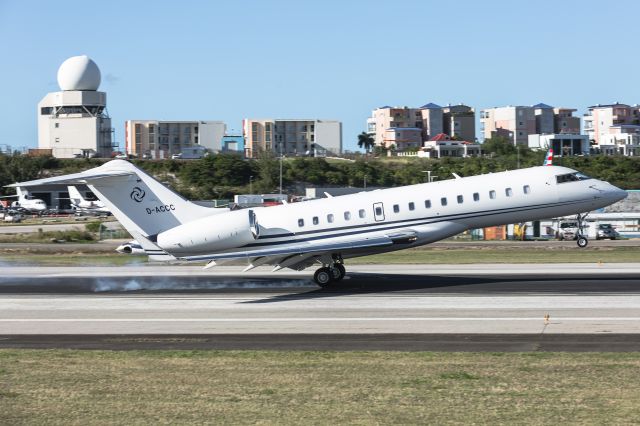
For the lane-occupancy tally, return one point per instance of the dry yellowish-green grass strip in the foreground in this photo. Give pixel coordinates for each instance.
(249, 387)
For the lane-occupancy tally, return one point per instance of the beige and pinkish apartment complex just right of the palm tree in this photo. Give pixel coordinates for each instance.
(387, 123)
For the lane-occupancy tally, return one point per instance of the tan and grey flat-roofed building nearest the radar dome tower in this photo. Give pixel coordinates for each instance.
(161, 139)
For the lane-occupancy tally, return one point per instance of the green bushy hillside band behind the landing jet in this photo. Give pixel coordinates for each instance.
(221, 176)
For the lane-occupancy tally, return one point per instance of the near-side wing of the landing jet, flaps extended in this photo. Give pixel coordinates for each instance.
(289, 255)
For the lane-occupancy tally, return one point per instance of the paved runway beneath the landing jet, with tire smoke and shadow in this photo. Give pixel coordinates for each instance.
(379, 306)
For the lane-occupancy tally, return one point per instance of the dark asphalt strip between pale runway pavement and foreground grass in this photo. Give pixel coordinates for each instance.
(334, 342)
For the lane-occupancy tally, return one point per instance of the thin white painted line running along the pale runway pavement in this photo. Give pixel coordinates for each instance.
(295, 319)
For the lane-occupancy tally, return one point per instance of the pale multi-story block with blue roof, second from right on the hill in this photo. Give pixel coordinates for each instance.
(519, 122)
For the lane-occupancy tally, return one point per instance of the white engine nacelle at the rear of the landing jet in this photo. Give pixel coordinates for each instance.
(212, 233)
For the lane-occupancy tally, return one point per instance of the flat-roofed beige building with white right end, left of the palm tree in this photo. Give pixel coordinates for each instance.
(292, 137)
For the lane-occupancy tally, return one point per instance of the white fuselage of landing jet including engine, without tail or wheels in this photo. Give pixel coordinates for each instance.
(432, 211)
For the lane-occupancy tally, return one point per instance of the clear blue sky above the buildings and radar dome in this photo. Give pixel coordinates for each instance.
(226, 60)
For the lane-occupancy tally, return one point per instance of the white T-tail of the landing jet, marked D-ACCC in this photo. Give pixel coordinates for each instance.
(139, 202)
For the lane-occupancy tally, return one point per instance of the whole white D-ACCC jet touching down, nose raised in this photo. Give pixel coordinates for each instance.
(328, 231)
